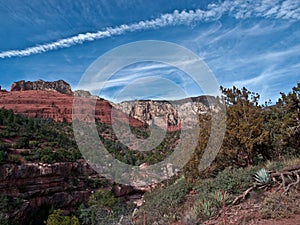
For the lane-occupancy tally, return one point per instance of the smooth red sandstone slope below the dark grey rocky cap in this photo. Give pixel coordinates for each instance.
(58, 106)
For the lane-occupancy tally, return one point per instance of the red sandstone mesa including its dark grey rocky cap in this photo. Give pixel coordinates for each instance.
(54, 100)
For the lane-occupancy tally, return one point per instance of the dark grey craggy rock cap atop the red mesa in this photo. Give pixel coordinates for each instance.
(58, 86)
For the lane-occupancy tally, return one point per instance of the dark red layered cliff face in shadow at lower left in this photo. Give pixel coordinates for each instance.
(61, 185)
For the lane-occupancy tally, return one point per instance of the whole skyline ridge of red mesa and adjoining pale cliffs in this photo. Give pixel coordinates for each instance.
(54, 100)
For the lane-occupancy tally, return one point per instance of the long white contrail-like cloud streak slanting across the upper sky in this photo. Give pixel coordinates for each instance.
(288, 9)
